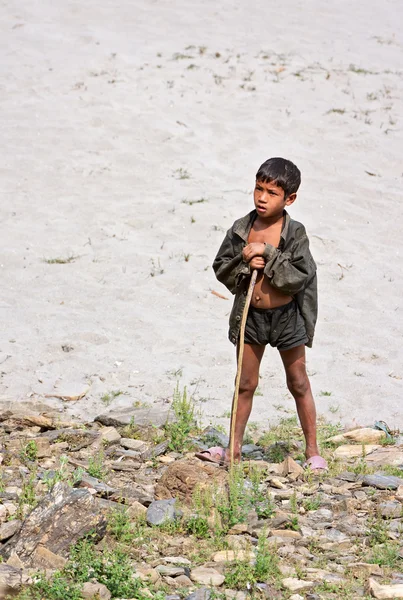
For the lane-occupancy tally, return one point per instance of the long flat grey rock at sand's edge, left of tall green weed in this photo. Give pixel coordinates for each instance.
(156, 416)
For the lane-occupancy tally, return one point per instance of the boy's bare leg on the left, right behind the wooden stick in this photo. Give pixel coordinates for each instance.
(252, 357)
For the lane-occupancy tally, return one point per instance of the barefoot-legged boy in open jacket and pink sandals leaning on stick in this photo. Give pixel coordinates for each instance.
(283, 307)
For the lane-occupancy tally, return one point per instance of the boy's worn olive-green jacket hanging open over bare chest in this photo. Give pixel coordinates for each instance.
(289, 268)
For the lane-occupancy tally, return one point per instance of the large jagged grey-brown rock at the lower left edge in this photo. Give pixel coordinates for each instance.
(62, 517)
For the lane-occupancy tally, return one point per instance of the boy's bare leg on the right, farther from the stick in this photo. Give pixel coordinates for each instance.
(300, 388)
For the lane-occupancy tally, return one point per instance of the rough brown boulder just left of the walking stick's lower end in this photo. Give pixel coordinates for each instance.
(182, 477)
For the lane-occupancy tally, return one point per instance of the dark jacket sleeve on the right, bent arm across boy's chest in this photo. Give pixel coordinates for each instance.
(290, 272)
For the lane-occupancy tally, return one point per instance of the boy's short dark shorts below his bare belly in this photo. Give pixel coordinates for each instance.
(282, 327)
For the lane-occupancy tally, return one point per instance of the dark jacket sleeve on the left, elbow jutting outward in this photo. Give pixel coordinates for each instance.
(228, 265)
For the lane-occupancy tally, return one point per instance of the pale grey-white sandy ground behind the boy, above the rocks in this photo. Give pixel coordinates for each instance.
(131, 133)
